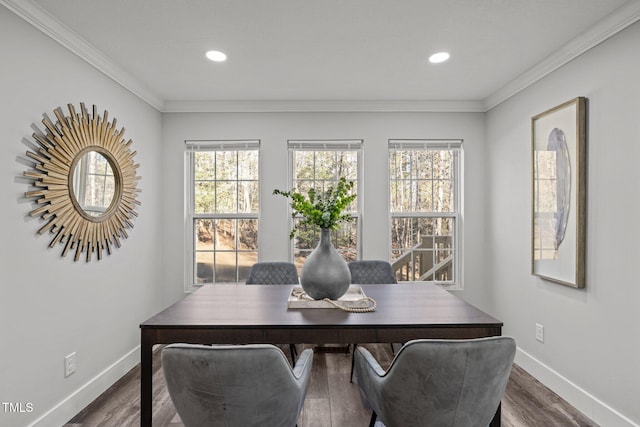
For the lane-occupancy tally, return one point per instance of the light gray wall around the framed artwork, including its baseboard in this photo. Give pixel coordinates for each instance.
(591, 353)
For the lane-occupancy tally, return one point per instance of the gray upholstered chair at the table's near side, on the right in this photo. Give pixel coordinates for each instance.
(438, 382)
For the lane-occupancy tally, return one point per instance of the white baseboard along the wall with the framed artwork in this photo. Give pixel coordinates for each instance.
(601, 413)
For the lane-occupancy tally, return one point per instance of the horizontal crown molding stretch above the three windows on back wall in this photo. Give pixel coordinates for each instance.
(316, 106)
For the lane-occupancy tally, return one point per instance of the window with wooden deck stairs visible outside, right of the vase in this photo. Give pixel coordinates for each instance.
(424, 186)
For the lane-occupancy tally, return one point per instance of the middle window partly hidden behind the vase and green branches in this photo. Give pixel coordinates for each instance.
(319, 165)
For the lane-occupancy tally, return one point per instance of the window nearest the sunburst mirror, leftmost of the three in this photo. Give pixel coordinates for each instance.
(222, 207)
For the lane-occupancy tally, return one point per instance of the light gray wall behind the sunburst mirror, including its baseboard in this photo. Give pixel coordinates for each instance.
(51, 306)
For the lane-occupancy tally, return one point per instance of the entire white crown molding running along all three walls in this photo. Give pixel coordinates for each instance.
(31, 12)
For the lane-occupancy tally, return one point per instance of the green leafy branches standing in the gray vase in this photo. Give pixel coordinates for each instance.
(324, 209)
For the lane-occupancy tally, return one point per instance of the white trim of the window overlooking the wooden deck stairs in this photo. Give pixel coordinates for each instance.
(431, 144)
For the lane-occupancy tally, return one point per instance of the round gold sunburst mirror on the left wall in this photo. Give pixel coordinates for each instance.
(72, 151)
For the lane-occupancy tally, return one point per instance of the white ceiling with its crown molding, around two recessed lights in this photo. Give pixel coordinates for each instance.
(332, 51)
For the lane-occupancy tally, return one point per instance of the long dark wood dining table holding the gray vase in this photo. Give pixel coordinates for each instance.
(241, 314)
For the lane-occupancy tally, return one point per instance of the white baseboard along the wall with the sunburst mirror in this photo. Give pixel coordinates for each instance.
(79, 399)
